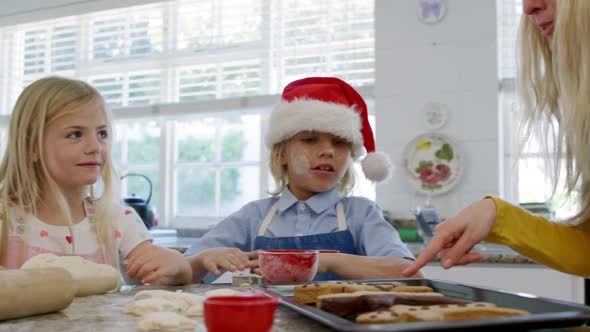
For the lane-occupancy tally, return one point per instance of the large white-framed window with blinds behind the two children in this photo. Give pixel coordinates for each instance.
(191, 83)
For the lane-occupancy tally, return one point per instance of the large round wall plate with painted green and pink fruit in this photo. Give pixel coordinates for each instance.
(432, 163)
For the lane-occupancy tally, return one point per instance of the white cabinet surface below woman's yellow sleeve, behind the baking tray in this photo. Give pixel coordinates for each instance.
(520, 278)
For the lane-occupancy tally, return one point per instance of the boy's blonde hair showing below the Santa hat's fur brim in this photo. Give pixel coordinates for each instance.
(280, 172)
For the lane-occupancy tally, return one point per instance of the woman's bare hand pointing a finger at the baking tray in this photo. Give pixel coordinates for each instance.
(455, 237)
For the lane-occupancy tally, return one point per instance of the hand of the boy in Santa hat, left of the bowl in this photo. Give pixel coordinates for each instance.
(230, 259)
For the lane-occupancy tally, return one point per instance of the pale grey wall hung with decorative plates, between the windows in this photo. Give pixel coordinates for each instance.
(453, 62)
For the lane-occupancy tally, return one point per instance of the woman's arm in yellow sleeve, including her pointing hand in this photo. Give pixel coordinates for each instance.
(557, 245)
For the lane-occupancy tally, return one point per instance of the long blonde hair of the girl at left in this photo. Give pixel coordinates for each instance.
(22, 179)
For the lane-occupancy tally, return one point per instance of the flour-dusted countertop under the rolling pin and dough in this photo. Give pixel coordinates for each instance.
(105, 313)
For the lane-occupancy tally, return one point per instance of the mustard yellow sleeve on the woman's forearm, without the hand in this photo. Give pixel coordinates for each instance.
(559, 246)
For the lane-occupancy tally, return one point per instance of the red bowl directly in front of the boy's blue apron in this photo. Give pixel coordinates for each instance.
(287, 266)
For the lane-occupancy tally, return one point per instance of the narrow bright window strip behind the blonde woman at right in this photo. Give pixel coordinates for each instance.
(526, 179)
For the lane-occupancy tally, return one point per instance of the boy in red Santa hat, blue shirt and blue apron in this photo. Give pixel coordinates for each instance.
(315, 133)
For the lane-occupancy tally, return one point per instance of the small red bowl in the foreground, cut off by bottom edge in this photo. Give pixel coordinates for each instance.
(239, 313)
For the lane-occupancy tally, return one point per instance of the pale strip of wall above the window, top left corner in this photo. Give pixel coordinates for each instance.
(21, 11)
